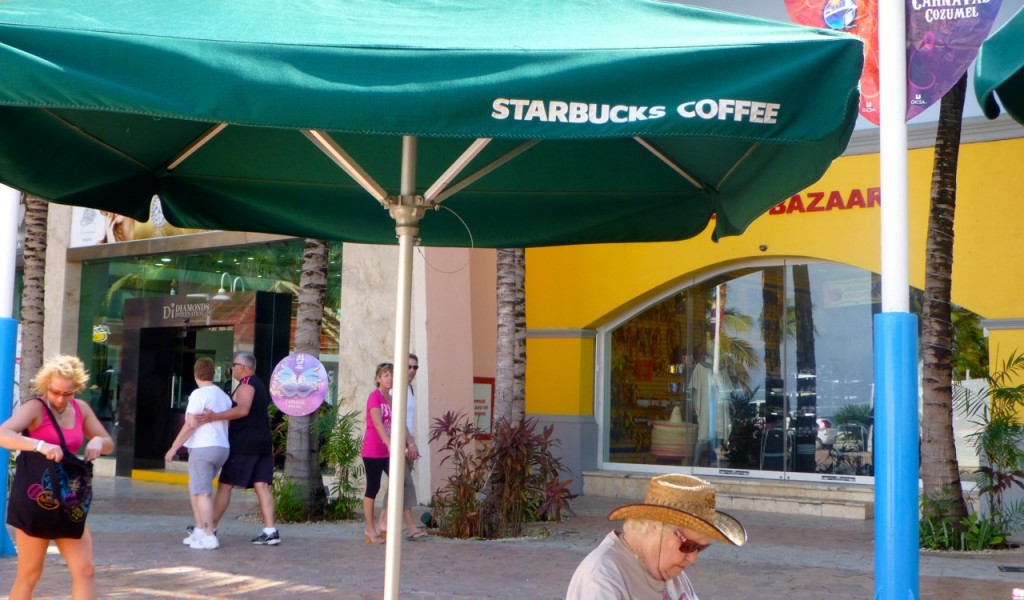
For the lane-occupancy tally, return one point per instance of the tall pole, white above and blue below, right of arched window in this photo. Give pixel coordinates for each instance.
(897, 564)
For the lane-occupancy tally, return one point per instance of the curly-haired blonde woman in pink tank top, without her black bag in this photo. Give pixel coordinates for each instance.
(57, 383)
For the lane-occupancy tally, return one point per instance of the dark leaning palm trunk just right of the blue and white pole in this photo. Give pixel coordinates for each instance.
(940, 469)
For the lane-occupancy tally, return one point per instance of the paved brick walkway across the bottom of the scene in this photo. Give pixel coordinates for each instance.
(139, 527)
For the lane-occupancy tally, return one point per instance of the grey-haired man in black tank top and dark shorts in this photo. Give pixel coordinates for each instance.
(251, 461)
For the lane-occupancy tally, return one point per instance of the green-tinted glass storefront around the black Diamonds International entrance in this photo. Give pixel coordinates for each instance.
(202, 276)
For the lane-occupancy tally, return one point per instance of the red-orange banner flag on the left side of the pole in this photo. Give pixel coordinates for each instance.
(860, 18)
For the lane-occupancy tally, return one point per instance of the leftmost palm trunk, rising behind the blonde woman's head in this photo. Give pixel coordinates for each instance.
(33, 294)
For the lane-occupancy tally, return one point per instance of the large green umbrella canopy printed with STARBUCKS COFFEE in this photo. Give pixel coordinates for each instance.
(538, 123)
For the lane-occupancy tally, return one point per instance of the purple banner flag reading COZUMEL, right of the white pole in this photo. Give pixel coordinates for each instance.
(943, 40)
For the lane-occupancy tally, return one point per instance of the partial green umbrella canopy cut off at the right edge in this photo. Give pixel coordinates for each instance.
(1000, 71)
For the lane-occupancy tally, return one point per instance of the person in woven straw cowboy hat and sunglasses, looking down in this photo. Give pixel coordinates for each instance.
(659, 540)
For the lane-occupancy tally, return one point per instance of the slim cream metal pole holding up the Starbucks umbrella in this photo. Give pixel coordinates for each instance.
(407, 210)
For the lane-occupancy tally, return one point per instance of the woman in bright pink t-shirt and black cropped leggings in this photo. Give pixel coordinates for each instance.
(376, 446)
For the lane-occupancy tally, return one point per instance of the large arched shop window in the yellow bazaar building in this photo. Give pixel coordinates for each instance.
(760, 369)
